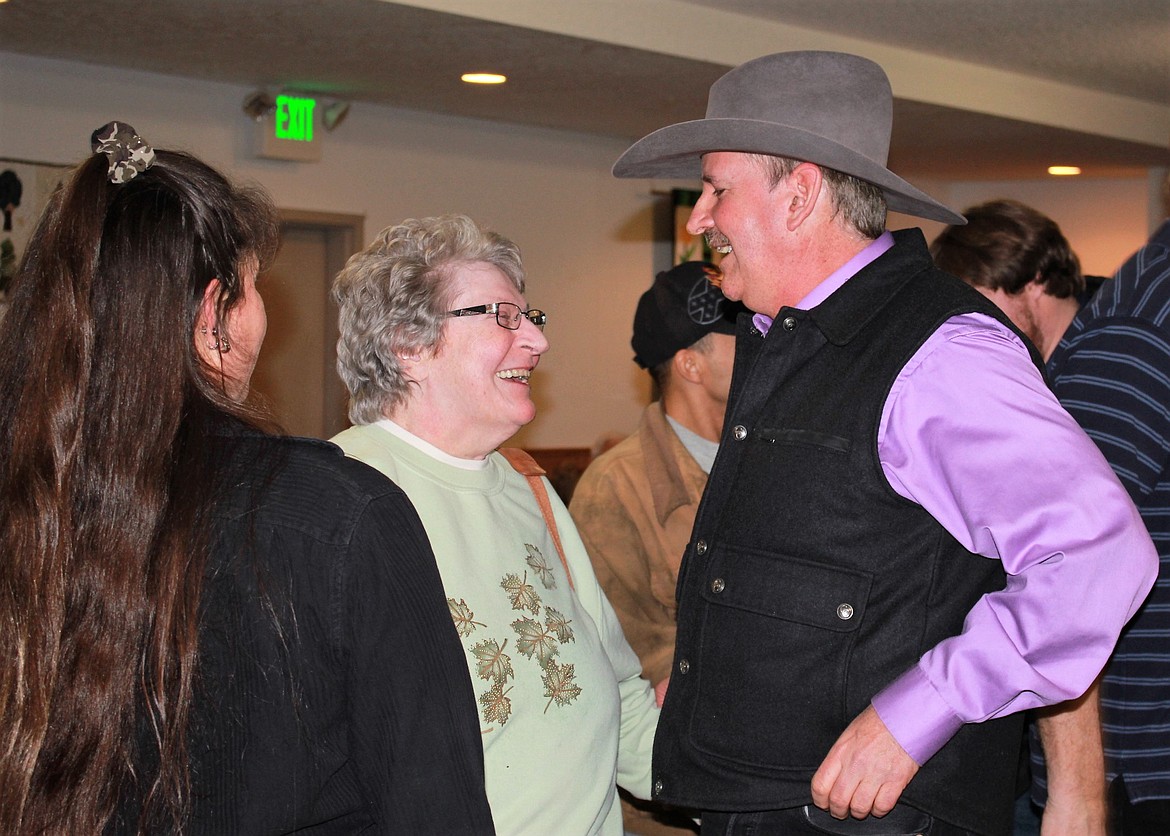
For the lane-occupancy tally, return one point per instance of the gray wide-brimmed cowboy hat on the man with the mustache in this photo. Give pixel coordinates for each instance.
(832, 109)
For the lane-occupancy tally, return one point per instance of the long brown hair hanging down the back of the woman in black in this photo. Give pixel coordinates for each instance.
(107, 479)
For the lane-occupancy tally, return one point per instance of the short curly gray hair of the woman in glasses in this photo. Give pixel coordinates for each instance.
(394, 300)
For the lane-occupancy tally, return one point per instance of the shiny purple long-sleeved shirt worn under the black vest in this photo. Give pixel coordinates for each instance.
(973, 434)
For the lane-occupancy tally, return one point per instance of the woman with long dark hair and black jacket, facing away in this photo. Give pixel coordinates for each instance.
(204, 628)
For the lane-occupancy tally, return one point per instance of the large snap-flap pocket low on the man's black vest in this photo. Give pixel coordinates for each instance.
(775, 650)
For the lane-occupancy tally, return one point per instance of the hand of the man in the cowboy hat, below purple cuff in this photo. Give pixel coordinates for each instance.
(865, 772)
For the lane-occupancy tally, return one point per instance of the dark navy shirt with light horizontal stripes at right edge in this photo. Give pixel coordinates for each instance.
(1112, 372)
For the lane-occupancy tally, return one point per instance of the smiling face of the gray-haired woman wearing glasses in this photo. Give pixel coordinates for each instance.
(477, 383)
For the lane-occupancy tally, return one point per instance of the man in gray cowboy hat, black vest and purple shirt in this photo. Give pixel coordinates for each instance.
(905, 541)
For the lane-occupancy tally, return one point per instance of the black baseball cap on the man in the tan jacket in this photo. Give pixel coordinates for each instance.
(680, 309)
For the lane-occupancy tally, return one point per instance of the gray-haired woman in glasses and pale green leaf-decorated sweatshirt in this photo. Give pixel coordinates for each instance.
(437, 347)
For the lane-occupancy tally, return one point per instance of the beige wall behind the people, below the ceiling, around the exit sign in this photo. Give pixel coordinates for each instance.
(586, 236)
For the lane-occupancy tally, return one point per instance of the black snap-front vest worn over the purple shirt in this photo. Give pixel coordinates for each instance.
(809, 585)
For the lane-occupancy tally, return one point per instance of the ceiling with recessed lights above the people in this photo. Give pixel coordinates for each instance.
(985, 88)
